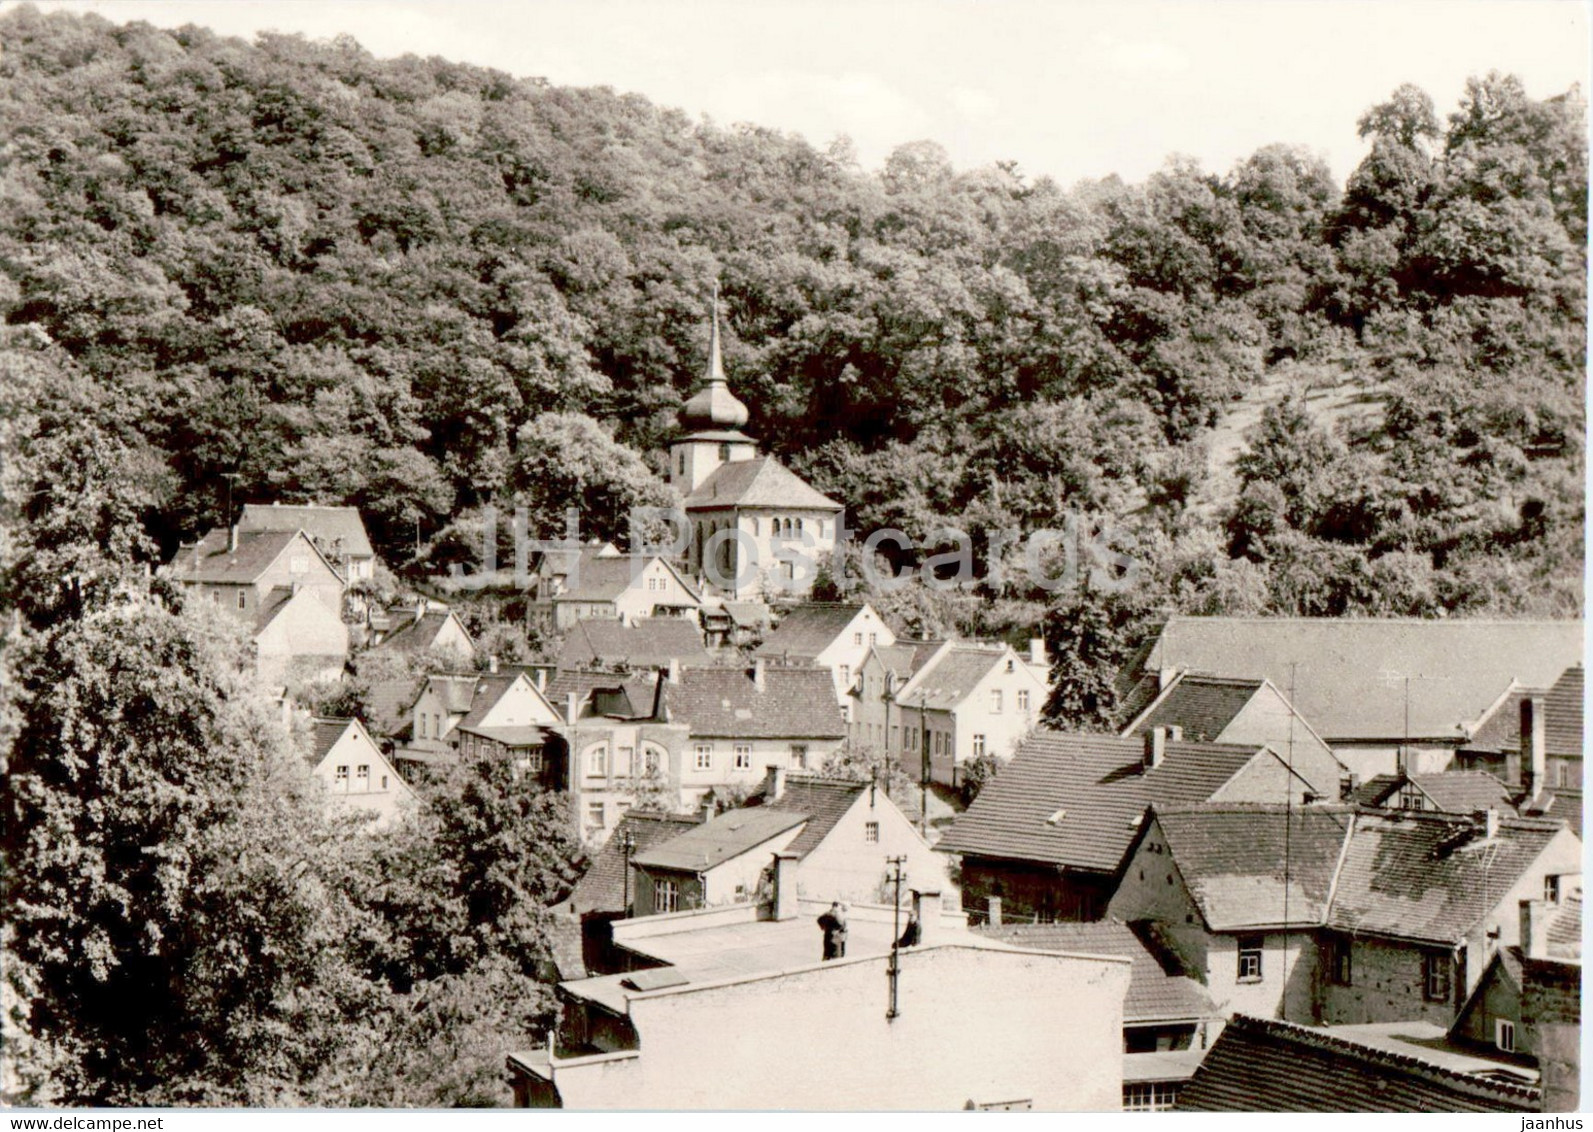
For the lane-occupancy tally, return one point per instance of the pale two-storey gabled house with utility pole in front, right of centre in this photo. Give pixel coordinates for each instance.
(965, 703)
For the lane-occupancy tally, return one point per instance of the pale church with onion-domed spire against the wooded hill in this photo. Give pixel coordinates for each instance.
(754, 529)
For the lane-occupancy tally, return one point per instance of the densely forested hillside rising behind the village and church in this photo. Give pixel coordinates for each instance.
(335, 278)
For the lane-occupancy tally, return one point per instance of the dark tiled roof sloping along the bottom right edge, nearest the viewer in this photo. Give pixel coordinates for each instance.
(1280, 1068)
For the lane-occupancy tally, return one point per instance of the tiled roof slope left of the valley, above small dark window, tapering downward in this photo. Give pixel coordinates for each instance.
(1251, 867)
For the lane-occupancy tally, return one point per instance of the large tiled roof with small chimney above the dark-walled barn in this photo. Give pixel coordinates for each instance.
(1076, 800)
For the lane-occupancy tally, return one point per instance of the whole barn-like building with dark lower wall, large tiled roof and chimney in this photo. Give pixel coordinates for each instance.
(1052, 832)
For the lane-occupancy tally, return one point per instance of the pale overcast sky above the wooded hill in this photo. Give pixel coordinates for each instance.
(1070, 90)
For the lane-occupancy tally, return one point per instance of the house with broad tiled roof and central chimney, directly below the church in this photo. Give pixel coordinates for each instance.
(745, 720)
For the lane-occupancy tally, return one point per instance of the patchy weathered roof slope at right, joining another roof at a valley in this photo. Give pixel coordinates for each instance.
(1431, 876)
